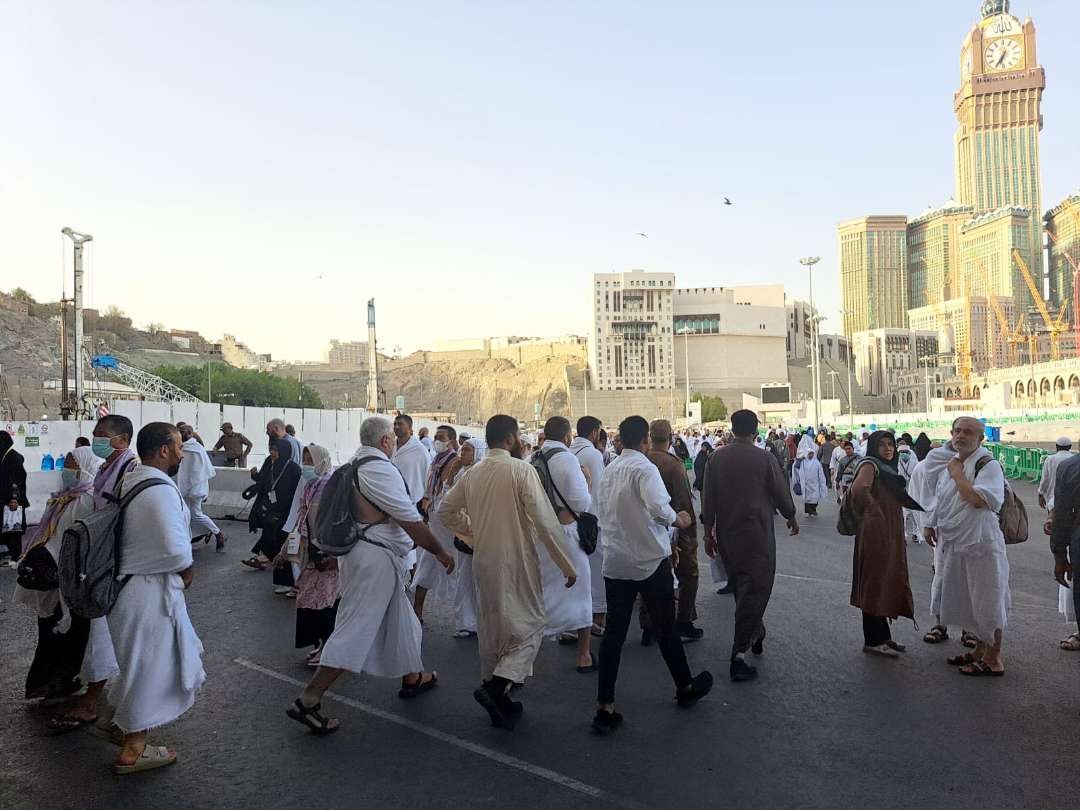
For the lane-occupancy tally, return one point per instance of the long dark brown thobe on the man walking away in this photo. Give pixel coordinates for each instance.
(745, 487)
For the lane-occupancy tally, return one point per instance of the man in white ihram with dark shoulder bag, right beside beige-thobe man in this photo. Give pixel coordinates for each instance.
(570, 611)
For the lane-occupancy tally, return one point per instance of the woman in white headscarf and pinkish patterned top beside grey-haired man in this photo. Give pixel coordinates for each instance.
(317, 583)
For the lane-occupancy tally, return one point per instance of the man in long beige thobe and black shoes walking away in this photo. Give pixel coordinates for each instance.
(502, 505)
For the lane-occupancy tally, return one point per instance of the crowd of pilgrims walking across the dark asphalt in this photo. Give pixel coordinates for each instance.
(523, 537)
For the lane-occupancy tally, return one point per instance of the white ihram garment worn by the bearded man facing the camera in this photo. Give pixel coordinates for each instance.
(975, 585)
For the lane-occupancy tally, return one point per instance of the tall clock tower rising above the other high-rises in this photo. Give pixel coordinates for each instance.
(1000, 111)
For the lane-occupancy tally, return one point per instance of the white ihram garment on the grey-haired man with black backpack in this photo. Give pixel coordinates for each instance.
(376, 630)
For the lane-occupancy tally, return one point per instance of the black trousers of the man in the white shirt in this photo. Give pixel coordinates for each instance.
(658, 593)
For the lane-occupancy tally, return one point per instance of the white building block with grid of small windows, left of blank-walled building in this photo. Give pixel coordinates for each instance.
(631, 345)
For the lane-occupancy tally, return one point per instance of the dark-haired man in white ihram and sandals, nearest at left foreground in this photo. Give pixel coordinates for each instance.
(159, 654)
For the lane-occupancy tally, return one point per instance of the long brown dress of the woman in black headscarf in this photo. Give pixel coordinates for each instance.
(880, 585)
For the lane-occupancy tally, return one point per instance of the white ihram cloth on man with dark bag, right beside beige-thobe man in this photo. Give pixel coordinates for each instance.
(568, 609)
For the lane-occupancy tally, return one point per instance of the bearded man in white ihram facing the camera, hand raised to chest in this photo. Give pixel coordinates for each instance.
(975, 576)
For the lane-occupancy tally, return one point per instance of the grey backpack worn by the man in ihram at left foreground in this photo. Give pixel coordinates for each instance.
(90, 557)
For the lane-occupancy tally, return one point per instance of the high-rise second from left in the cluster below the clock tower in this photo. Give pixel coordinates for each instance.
(934, 254)
